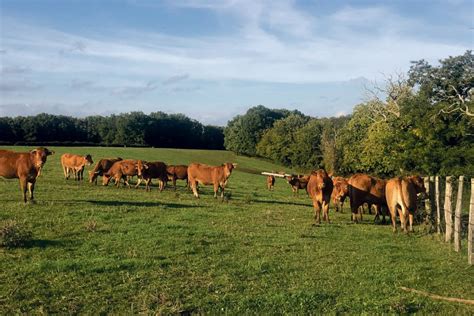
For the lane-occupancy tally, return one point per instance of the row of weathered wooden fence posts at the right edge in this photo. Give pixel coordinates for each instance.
(453, 230)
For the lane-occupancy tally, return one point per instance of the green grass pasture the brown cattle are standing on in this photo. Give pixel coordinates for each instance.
(107, 250)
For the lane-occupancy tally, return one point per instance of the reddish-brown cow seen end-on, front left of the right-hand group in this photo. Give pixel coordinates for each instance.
(319, 188)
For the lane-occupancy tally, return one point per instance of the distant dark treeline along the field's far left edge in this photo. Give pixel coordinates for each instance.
(157, 129)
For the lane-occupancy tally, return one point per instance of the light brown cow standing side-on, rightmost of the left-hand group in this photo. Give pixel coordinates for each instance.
(206, 175)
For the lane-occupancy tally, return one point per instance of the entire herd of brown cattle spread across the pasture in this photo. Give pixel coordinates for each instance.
(389, 197)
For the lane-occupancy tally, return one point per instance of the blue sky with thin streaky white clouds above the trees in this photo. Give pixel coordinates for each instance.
(212, 60)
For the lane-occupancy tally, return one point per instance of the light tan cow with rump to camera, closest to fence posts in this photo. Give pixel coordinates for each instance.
(401, 195)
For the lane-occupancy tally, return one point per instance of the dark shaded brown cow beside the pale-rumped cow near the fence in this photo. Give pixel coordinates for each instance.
(366, 189)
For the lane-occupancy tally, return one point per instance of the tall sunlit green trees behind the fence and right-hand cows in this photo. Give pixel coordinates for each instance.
(419, 122)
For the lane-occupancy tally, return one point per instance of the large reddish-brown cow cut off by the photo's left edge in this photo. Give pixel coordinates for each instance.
(23, 166)
